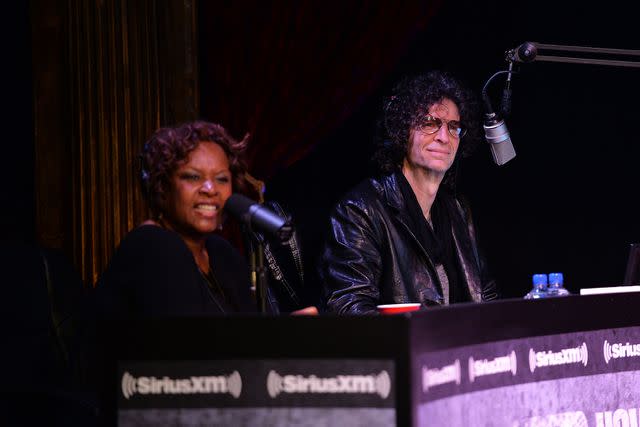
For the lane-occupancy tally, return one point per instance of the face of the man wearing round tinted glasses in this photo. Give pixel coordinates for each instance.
(437, 151)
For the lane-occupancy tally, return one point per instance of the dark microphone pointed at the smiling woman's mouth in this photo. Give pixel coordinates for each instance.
(258, 217)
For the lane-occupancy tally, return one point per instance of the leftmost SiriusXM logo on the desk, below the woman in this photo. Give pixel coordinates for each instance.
(231, 384)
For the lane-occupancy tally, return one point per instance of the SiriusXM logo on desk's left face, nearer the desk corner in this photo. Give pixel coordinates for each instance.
(365, 384)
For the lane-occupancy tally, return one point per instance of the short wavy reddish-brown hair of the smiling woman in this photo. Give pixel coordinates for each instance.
(169, 147)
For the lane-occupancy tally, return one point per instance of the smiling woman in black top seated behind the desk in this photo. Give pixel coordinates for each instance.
(174, 264)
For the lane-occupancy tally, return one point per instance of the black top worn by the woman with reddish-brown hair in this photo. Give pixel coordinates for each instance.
(154, 274)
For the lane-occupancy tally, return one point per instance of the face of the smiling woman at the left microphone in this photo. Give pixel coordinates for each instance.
(199, 189)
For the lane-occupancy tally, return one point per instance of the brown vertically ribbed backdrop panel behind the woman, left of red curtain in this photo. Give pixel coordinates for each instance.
(106, 74)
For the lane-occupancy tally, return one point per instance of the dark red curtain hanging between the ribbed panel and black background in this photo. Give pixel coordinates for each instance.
(289, 72)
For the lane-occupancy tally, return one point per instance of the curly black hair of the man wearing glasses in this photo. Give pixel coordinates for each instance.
(406, 108)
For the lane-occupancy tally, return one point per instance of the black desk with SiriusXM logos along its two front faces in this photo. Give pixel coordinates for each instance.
(563, 361)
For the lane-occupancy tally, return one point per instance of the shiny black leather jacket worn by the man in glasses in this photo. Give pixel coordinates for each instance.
(372, 257)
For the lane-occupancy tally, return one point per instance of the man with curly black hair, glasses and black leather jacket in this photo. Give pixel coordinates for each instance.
(404, 237)
